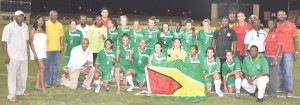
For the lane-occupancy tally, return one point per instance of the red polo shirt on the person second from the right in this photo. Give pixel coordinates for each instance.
(272, 40)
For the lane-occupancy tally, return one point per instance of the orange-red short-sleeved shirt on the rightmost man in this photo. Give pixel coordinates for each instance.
(288, 31)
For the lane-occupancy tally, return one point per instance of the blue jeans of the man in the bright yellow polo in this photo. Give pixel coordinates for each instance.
(53, 58)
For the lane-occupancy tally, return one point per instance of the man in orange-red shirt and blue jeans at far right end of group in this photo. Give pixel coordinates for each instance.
(289, 52)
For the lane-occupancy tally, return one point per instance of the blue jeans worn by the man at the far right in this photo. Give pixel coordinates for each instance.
(285, 72)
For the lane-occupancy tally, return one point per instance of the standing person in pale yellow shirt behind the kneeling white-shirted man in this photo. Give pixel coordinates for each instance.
(97, 35)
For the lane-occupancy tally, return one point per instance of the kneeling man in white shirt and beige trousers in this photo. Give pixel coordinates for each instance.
(81, 60)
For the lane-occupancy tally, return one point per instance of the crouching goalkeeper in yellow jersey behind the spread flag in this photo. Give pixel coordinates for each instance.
(176, 52)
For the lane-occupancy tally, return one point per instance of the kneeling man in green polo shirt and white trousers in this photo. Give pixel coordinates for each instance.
(255, 69)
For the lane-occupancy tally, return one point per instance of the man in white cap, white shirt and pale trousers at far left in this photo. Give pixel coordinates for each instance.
(14, 39)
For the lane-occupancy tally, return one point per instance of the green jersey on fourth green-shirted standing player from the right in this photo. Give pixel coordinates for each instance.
(165, 39)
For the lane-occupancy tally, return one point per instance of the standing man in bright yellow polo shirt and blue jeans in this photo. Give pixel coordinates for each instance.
(55, 45)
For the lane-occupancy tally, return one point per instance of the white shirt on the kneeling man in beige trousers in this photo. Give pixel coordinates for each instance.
(79, 57)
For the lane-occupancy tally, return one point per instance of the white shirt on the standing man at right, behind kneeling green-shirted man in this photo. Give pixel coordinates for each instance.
(256, 38)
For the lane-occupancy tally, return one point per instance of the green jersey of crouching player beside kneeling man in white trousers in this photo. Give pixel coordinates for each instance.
(228, 67)
